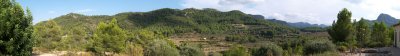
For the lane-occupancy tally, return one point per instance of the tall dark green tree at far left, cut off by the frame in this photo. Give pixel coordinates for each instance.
(15, 29)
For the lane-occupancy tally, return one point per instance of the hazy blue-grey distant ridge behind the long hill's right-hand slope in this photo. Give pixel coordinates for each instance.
(296, 24)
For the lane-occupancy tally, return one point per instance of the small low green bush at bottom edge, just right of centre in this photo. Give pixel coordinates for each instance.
(237, 51)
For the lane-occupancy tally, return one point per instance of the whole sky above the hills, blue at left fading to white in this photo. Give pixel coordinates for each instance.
(311, 11)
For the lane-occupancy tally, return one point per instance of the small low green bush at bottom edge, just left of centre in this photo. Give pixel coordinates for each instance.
(190, 51)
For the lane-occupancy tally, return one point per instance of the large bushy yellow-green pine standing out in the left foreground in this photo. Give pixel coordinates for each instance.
(108, 37)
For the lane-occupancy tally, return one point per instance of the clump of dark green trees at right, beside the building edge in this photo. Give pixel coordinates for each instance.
(347, 34)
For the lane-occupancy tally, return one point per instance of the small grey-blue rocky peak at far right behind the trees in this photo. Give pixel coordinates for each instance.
(389, 20)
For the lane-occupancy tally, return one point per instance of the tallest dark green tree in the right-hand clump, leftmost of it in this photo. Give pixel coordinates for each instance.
(342, 29)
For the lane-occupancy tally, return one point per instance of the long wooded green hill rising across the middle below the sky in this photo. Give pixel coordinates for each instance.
(172, 22)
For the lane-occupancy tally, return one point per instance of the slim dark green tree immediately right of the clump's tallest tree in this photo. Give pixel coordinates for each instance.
(363, 32)
